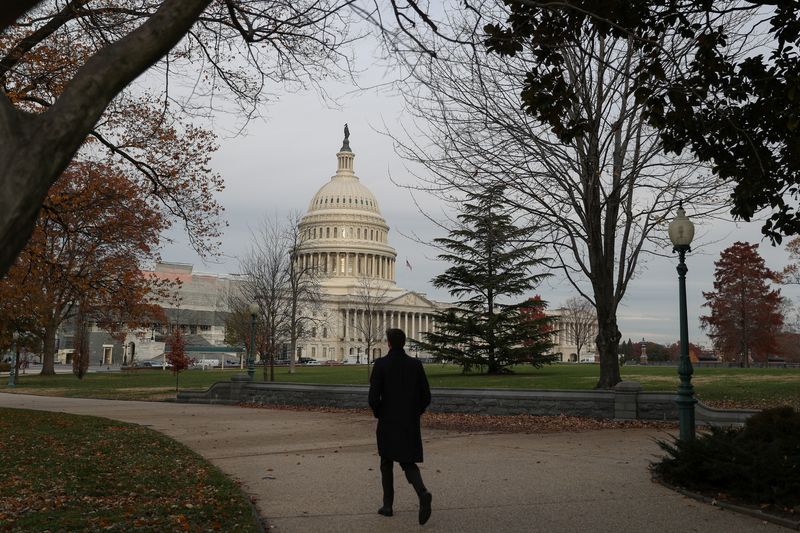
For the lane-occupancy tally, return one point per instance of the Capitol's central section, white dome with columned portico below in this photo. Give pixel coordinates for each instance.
(346, 239)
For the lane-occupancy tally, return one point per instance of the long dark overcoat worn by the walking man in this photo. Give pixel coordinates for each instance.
(398, 395)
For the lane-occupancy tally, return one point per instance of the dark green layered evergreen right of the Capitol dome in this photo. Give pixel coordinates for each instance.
(492, 262)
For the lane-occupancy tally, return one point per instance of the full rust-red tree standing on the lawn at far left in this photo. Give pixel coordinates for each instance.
(88, 247)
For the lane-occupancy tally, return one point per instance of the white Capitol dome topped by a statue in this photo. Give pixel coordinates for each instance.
(343, 232)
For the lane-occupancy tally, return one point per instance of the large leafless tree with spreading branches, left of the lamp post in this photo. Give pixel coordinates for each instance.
(600, 200)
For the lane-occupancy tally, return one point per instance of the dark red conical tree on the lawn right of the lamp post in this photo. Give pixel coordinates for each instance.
(745, 313)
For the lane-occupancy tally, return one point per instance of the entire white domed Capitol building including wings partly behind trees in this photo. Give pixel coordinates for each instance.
(346, 241)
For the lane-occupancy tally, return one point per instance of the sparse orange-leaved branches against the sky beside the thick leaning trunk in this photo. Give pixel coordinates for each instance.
(139, 135)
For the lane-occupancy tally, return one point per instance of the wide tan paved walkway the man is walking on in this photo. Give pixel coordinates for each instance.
(318, 472)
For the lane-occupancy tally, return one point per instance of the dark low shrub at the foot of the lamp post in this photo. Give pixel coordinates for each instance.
(759, 463)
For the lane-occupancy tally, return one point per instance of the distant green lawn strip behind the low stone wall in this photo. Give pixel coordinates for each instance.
(726, 386)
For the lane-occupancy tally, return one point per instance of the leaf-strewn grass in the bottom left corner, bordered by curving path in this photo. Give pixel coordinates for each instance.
(82, 473)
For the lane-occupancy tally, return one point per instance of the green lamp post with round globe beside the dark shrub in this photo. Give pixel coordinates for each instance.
(681, 232)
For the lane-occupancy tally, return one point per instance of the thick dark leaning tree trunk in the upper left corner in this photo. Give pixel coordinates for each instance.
(37, 148)
